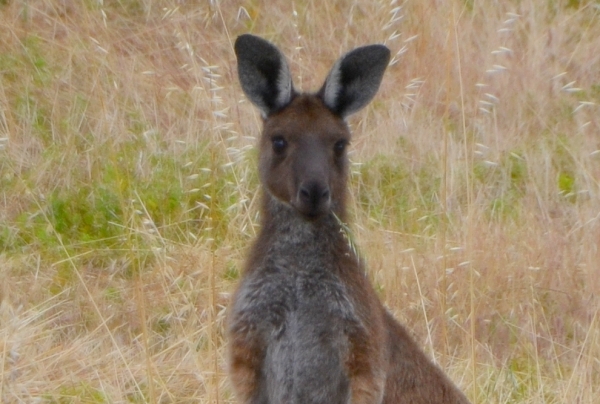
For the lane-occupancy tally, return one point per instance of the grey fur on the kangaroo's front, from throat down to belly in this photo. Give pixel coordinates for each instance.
(295, 303)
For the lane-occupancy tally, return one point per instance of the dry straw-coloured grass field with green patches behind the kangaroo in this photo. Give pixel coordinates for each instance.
(128, 189)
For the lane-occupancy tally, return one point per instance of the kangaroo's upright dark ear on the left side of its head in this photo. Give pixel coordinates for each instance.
(264, 73)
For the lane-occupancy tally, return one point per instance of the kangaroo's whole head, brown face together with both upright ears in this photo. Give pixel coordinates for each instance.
(303, 161)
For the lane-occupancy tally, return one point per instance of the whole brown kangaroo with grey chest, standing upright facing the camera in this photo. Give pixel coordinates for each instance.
(305, 325)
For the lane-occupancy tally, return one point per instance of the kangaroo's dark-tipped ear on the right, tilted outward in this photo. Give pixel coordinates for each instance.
(354, 79)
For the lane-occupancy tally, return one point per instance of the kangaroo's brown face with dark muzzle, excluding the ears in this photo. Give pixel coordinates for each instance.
(303, 159)
